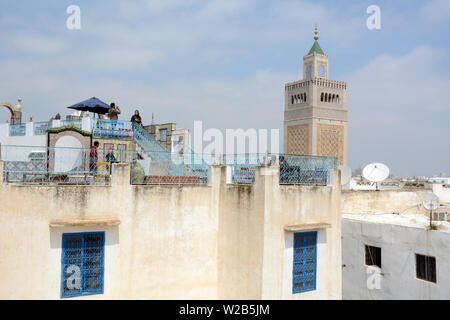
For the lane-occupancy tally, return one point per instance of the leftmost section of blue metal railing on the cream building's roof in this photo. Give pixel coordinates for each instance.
(53, 165)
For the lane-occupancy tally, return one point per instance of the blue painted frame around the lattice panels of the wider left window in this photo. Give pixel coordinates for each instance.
(83, 292)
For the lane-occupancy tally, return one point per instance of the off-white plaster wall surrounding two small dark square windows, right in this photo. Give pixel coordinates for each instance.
(398, 244)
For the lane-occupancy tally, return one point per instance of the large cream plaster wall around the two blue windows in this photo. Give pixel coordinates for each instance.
(173, 242)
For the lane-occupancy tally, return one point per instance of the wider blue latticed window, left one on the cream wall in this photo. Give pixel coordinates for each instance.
(82, 263)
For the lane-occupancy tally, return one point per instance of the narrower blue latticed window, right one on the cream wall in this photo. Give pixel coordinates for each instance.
(305, 256)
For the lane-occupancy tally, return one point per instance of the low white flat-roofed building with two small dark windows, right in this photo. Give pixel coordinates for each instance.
(388, 256)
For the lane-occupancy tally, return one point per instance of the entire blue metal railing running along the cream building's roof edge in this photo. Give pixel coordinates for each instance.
(81, 166)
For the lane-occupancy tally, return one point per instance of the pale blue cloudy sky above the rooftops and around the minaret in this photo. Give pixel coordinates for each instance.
(226, 63)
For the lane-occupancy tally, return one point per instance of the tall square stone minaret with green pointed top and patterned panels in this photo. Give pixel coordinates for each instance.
(315, 116)
